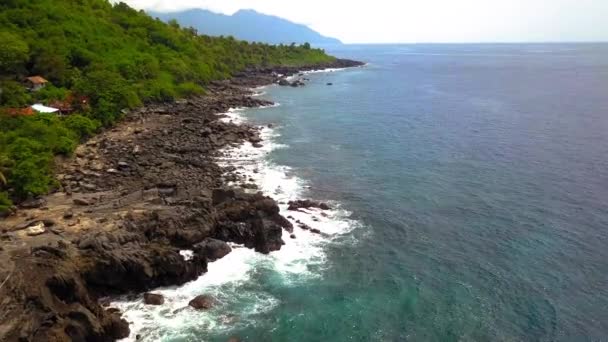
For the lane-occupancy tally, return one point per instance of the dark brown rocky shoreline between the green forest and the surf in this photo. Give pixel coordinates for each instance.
(130, 200)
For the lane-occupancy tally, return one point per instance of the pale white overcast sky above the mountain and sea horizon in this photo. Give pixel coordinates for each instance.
(421, 21)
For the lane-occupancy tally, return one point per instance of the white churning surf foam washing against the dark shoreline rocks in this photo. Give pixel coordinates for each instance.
(229, 280)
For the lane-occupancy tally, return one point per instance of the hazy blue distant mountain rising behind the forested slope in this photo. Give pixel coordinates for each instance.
(247, 25)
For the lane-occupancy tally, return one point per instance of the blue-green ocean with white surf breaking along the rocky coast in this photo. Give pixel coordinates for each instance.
(469, 186)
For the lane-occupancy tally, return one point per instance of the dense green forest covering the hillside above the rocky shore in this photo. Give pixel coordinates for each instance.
(101, 59)
